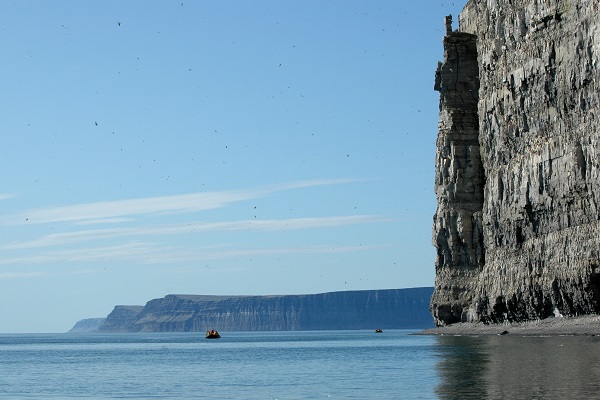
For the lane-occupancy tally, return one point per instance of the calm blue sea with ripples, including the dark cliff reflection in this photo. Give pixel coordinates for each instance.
(298, 365)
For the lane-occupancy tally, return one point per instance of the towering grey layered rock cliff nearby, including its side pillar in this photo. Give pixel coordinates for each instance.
(517, 229)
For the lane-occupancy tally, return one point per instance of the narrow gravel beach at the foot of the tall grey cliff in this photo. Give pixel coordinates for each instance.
(587, 325)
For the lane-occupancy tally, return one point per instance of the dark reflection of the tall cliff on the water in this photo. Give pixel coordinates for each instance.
(510, 367)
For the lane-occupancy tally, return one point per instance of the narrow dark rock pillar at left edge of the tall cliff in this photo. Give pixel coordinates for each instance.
(459, 181)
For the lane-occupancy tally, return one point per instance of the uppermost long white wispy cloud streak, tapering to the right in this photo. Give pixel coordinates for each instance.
(106, 210)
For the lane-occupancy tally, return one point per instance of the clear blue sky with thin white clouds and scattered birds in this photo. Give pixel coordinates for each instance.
(219, 147)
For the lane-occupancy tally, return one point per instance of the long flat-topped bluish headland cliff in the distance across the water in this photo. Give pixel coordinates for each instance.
(370, 309)
